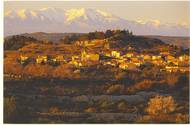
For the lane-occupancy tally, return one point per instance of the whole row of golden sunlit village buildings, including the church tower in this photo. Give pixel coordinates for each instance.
(127, 61)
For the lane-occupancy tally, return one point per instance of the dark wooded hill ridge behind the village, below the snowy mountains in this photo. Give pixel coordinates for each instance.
(118, 39)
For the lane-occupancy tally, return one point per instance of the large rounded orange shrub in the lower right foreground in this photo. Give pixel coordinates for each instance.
(160, 105)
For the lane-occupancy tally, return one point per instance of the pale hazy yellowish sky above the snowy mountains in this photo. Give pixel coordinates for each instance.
(166, 12)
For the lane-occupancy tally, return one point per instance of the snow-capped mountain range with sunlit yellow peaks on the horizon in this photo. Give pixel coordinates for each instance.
(81, 20)
